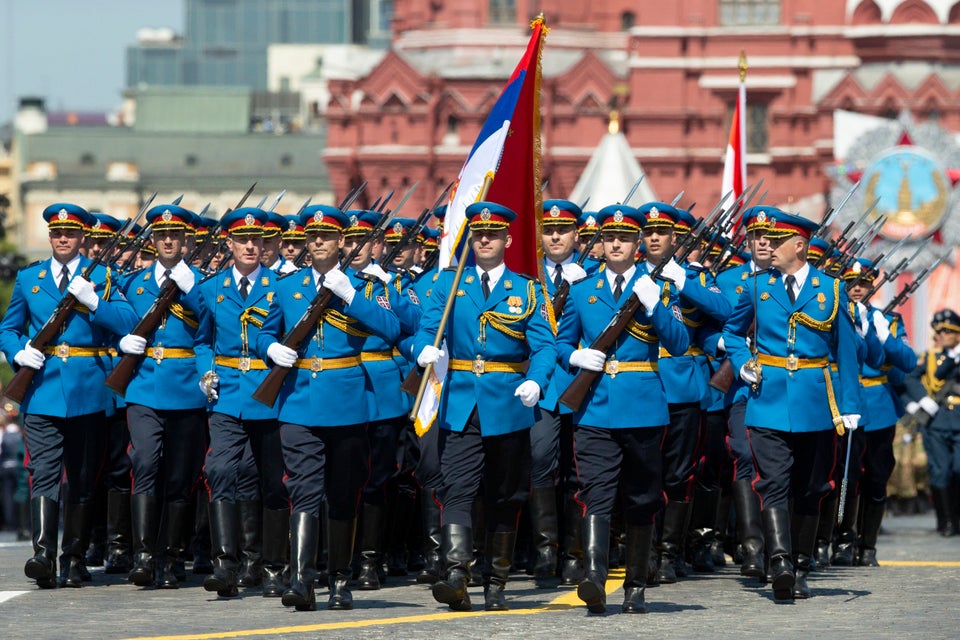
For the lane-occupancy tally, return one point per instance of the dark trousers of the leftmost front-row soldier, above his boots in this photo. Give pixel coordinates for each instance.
(55, 445)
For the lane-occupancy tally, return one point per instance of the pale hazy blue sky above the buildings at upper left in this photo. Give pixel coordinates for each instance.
(73, 52)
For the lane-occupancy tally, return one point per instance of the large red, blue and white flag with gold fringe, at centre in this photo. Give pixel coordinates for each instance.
(507, 152)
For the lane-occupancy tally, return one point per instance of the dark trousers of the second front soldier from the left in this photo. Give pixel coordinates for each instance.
(166, 450)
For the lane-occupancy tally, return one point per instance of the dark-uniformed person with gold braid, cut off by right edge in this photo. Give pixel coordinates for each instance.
(937, 375)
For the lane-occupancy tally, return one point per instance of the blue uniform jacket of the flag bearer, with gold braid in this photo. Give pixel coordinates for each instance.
(495, 330)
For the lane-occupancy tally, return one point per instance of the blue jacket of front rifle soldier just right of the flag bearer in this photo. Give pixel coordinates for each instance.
(631, 398)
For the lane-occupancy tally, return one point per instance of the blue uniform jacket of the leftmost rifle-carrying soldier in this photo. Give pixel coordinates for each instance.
(71, 387)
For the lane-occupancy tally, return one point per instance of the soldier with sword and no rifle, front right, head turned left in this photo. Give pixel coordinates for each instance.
(793, 408)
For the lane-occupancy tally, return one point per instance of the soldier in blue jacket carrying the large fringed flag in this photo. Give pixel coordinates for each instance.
(502, 353)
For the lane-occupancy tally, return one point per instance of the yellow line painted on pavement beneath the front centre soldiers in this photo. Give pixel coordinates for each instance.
(562, 602)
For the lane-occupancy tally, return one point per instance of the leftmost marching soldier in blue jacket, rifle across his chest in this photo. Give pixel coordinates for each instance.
(64, 405)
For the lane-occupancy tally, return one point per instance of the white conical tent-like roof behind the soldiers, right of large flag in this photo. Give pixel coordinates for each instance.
(610, 174)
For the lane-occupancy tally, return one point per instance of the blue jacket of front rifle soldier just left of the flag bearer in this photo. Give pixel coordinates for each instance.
(331, 397)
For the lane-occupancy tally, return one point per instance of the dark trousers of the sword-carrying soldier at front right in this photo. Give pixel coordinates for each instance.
(797, 466)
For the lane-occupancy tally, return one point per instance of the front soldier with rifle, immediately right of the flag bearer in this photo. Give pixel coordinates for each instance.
(620, 425)
